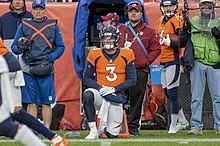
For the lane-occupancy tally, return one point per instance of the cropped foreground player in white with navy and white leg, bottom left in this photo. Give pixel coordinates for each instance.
(8, 128)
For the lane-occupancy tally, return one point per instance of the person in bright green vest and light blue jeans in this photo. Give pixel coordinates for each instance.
(204, 39)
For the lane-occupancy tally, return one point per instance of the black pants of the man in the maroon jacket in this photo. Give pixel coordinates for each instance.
(136, 96)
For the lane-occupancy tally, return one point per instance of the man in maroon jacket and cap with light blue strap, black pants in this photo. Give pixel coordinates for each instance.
(143, 58)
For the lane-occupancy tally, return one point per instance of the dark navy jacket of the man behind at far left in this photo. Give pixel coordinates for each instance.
(10, 21)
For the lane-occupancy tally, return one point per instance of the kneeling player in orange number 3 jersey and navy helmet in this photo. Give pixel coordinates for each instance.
(109, 71)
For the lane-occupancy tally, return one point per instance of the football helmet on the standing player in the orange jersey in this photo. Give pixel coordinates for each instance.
(172, 10)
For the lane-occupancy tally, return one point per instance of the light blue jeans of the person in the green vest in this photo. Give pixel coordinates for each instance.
(198, 76)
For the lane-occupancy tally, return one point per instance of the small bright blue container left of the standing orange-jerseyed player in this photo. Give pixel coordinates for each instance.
(155, 74)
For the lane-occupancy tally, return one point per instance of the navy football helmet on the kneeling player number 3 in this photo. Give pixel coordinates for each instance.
(109, 37)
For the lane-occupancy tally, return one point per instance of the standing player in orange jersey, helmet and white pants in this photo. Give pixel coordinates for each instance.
(170, 24)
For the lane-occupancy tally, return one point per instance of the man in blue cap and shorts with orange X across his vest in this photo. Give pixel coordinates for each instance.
(40, 42)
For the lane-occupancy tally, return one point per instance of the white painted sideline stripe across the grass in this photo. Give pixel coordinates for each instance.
(132, 140)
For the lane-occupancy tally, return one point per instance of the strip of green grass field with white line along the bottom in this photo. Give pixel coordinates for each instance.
(147, 138)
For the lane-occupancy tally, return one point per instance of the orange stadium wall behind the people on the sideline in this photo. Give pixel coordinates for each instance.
(67, 83)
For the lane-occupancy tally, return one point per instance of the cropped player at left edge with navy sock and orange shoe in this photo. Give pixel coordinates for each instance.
(16, 81)
